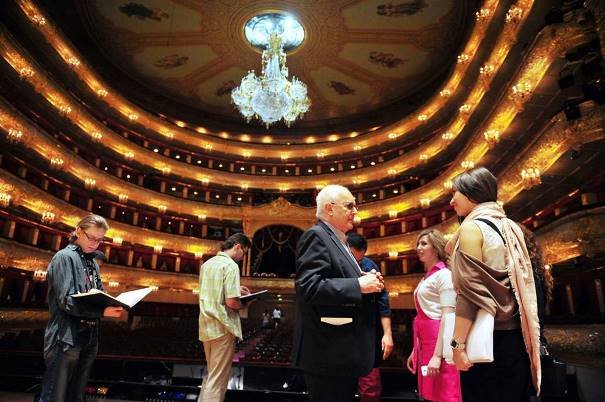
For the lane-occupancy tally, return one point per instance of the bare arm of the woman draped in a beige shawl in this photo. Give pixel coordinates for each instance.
(471, 242)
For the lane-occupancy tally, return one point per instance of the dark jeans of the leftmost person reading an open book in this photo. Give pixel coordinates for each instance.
(68, 368)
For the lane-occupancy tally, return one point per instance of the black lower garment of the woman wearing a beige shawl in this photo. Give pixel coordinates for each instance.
(506, 379)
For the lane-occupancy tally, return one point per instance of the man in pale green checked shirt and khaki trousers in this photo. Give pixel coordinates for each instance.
(219, 322)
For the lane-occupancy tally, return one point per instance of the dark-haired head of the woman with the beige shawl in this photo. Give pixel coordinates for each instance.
(471, 188)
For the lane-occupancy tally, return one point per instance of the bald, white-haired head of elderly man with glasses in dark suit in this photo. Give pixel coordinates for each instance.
(336, 205)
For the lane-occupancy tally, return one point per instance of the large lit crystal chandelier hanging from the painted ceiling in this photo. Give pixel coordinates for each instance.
(271, 97)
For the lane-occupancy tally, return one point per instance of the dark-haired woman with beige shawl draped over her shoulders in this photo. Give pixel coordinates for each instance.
(491, 271)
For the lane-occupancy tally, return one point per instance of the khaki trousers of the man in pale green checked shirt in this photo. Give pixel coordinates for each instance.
(219, 355)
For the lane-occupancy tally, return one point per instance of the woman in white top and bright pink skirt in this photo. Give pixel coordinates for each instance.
(434, 297)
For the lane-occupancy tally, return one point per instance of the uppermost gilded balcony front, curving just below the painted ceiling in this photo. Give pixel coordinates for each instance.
(347, 145)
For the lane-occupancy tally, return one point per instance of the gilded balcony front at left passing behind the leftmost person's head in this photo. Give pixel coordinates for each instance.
(36, 200)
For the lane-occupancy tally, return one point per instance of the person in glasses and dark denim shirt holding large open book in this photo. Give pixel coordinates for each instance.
(72, 334)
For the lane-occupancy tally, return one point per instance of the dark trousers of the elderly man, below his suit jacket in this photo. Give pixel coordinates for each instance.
(323, 388)
